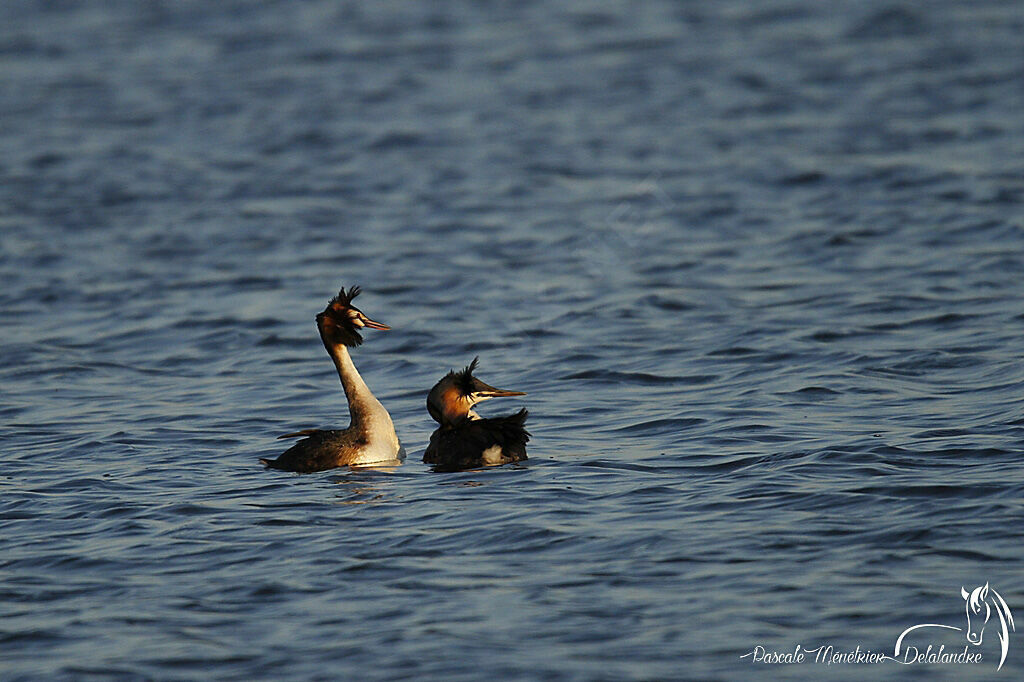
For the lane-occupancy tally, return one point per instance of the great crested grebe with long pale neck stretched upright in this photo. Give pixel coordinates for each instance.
(370, 438)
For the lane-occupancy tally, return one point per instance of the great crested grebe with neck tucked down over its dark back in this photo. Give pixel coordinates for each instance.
(464, 440)
